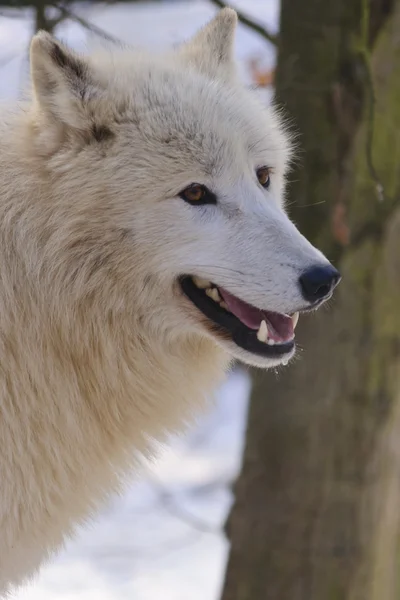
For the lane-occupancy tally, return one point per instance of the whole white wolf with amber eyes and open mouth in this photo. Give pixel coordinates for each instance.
(143, 244)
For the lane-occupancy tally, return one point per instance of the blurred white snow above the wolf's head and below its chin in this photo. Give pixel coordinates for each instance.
(163, 538)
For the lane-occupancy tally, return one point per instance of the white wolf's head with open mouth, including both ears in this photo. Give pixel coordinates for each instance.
(167, 179)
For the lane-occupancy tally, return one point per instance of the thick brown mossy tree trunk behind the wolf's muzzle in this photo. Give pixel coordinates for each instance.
(316, 506)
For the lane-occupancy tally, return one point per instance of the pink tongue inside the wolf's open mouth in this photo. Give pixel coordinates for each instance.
(280, 327)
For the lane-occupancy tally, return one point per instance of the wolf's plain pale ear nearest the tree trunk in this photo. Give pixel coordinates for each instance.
(211, 49)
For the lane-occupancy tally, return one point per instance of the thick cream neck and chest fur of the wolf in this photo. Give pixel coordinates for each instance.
(87, 378)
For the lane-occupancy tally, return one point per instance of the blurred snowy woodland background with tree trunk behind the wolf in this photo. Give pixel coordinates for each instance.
(290, 488)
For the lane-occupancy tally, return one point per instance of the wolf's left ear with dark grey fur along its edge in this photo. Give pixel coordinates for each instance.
(62, 81)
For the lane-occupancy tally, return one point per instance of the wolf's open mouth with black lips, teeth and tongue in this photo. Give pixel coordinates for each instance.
(260, 332)
